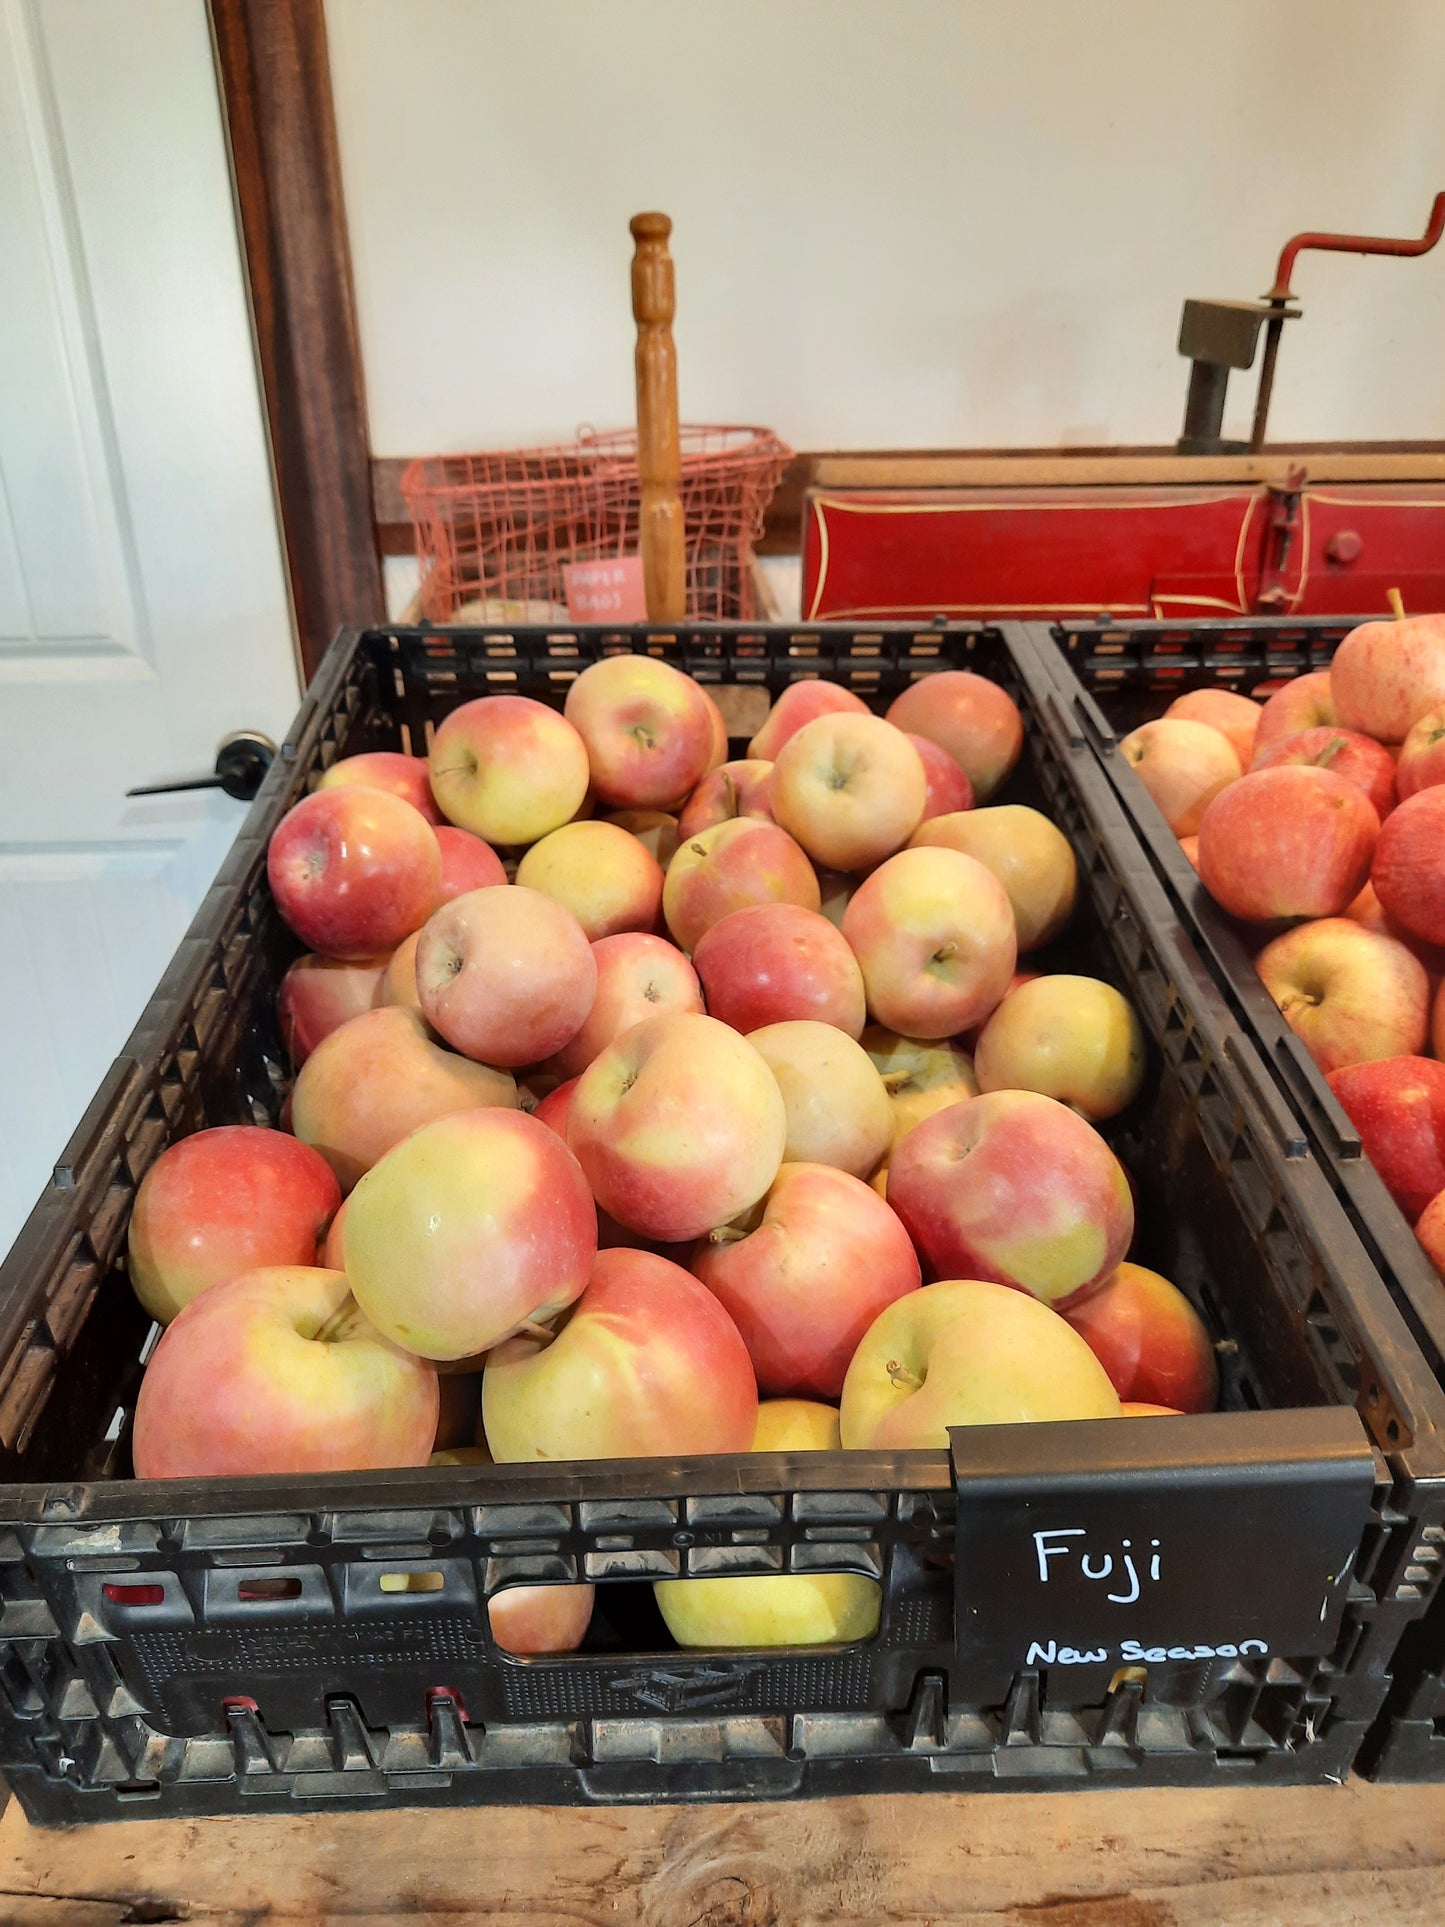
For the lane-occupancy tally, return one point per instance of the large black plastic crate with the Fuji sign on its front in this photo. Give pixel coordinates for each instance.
(213, 1649)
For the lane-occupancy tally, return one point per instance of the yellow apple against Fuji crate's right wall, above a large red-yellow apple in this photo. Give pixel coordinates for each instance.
(1070, 1038)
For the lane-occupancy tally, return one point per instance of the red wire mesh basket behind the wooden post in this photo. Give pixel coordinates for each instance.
(498, 529)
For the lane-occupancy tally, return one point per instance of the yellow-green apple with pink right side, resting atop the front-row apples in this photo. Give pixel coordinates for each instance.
(473, 1228)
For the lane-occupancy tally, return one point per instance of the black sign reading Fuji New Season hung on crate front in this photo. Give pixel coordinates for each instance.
(1149, 1543)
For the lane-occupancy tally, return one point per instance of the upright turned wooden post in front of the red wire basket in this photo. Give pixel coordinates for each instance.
(660, 458)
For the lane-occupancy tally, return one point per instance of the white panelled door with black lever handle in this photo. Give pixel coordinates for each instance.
(144, 610)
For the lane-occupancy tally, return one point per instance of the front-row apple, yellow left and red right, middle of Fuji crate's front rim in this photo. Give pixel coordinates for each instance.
(648, 1365)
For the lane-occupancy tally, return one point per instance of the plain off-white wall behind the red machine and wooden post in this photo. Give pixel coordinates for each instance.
(899, 223)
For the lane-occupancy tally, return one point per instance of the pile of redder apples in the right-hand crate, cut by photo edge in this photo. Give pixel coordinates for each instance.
(1325, 808)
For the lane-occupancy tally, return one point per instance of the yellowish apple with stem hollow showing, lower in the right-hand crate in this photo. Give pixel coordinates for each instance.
(1348, 993)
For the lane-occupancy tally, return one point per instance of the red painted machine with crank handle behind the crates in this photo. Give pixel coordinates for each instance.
(1209, 529)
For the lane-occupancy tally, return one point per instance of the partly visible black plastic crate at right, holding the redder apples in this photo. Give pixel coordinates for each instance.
(1120, 675)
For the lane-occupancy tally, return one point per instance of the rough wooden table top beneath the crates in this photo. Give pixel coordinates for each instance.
(1369, 1857)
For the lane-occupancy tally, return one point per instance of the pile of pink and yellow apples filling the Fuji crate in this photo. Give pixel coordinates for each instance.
(671, 1105)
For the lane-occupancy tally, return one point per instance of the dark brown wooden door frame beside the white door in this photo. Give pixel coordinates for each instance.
(276, 93)
